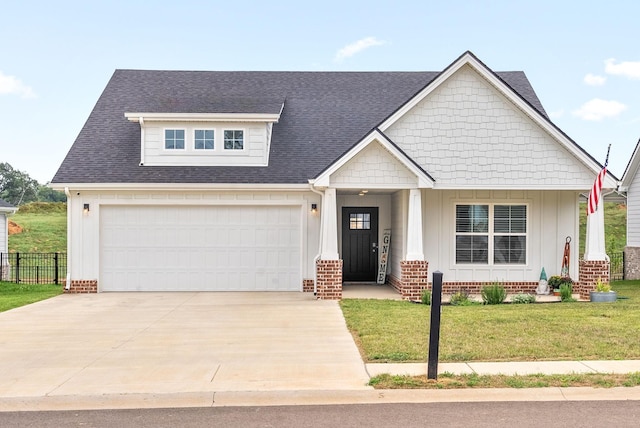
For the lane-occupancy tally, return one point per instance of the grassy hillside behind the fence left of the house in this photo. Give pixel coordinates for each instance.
(44, 229)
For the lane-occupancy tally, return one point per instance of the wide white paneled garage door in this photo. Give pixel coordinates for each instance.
(216, 248)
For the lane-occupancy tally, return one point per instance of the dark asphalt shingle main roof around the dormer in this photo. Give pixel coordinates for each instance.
(325, 113)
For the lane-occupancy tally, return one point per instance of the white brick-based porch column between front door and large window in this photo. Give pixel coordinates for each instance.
(414, 269)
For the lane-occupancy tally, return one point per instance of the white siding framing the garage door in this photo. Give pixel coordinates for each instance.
(84, 236)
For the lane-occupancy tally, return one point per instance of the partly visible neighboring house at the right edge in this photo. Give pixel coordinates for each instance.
(630, 184)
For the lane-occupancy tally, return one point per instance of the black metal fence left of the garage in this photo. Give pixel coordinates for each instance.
(33, 268)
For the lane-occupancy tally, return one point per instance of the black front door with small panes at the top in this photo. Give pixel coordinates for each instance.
(359, 243)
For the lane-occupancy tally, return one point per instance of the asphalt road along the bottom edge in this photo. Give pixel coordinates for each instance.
(450, 415)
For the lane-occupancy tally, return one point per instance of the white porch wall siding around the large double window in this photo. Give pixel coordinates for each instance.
(552, 216)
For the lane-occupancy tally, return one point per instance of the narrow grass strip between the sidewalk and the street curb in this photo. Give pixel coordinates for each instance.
(450, 381)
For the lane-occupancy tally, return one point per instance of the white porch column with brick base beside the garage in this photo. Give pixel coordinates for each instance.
(329, 266)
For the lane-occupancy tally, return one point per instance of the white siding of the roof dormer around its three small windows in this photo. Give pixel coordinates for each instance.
(255, 150)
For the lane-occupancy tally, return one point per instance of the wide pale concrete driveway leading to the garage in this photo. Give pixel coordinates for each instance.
(165, 343)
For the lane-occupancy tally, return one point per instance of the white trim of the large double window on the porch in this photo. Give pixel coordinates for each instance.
(491, 235)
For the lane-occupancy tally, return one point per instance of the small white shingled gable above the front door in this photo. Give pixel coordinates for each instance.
(373, 167)
